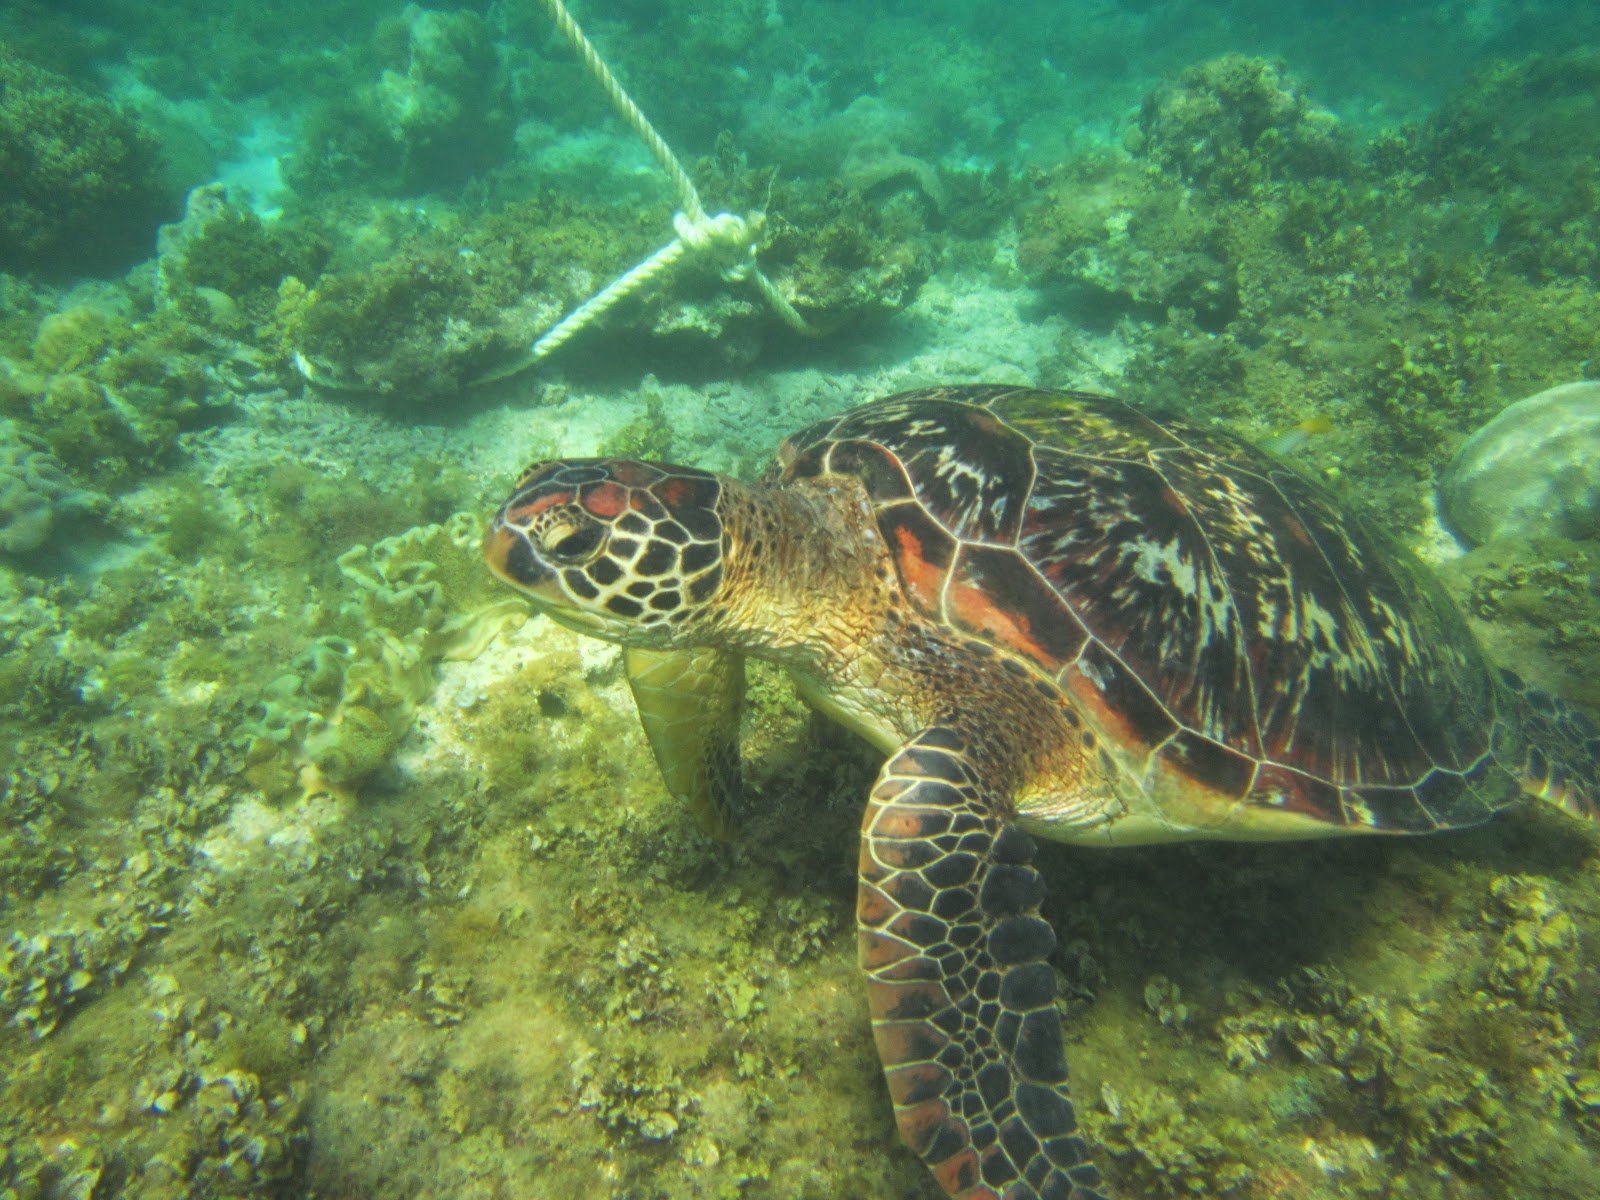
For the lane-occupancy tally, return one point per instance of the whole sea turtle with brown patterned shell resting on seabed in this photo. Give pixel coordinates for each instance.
(1058, 618)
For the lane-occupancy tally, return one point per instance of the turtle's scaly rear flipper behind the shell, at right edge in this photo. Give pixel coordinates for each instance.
(1553, 748)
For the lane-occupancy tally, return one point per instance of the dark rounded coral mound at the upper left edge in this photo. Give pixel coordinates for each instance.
(79, 188)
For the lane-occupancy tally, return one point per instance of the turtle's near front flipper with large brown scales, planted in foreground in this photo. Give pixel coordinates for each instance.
(962, 999)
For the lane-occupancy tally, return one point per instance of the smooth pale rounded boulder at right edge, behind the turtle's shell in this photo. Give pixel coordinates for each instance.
(1532, 471)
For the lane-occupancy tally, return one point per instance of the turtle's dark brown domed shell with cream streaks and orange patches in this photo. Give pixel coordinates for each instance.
(1202, 601)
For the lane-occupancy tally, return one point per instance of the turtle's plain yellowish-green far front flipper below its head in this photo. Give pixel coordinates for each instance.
(689, 703)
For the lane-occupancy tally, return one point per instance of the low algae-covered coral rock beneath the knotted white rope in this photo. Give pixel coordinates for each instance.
(450, 303)
